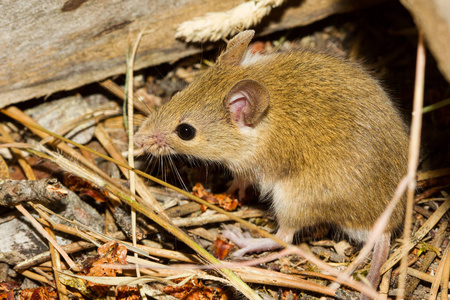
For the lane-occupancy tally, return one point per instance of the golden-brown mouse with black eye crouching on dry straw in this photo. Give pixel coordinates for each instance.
(315, 133)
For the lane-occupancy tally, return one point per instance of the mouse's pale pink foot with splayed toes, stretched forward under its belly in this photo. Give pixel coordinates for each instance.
(247, 244)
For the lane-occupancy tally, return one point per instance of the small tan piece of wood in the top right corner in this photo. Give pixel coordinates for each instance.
(433, 17)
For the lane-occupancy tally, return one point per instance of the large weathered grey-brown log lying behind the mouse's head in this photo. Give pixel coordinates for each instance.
(50, 45)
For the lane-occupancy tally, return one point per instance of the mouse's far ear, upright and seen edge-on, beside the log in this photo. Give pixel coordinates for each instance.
(236, 49)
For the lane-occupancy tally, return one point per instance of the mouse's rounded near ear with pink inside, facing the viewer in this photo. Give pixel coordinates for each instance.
(247, 101)
